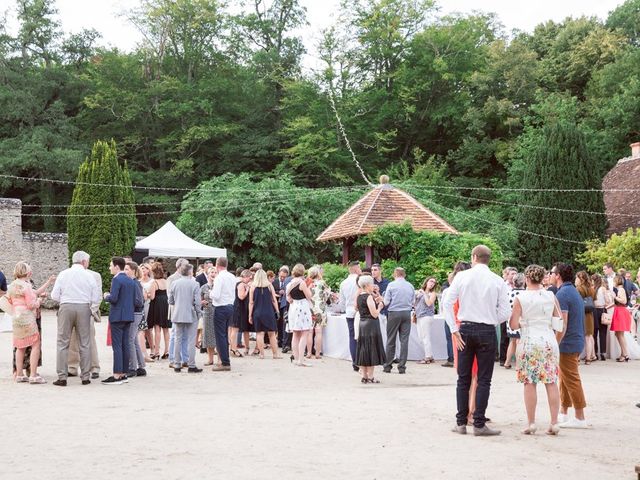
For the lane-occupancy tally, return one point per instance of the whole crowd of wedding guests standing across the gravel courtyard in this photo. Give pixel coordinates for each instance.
(544, 320)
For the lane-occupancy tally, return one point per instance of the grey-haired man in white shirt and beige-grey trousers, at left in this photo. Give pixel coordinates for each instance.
(76, 291)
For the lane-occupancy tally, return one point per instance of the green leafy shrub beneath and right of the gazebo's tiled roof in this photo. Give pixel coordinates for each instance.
(424, 254)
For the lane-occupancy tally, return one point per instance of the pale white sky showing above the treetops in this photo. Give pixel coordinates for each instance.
(106, 16)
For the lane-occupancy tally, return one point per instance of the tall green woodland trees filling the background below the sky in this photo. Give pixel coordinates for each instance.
(215, 87)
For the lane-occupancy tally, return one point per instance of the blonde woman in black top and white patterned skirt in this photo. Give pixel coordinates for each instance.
(300, 322)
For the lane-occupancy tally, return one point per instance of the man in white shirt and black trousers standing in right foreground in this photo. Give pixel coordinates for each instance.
(484, 304)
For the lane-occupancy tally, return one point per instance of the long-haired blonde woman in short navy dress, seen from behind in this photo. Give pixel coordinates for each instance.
(263, 312)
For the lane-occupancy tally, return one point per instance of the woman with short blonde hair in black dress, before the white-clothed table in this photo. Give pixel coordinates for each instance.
(370, 349)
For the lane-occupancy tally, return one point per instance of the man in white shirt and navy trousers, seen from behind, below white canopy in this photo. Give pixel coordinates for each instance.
(223, 296)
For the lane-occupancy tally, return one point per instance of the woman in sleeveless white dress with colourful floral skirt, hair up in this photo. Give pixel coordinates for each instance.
(537, 353)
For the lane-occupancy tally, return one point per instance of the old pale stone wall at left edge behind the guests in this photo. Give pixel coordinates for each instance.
(46, 252)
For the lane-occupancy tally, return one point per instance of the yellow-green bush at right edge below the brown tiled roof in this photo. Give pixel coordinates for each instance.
(622, 250)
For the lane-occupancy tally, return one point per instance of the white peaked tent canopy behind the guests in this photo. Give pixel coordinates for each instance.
(168, 241)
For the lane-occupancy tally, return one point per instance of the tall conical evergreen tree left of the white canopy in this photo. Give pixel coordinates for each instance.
(101, 219)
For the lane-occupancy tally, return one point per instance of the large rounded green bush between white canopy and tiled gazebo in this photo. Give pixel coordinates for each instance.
(271, 221)
